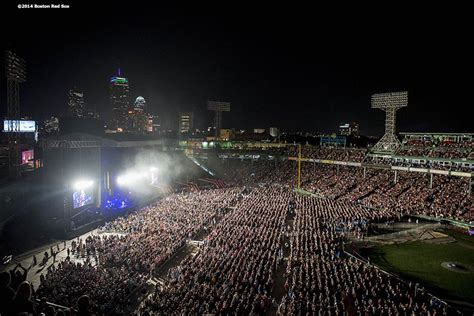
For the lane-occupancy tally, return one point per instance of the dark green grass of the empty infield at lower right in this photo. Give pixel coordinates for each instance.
(421, 262)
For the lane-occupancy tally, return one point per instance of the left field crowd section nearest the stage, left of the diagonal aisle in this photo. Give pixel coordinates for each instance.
(110, 265)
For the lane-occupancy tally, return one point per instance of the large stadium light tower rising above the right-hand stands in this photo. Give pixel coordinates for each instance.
(389, 102)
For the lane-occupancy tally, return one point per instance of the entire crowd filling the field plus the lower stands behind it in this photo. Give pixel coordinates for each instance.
(249, 226)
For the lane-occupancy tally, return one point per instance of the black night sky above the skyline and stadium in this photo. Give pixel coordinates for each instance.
(302, 68)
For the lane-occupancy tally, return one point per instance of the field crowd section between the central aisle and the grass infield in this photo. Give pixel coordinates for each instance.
(322, 281)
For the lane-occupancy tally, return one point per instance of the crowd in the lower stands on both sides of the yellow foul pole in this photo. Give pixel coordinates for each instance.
(405, 192)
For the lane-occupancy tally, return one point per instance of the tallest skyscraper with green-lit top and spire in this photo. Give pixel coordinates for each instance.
(119, 100)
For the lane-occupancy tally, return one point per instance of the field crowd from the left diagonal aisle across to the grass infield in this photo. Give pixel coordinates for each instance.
(235, 272)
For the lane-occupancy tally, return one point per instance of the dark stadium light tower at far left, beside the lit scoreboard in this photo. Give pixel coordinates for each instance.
(15, 71)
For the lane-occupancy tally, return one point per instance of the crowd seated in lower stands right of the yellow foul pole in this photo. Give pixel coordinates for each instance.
(407, 192)
